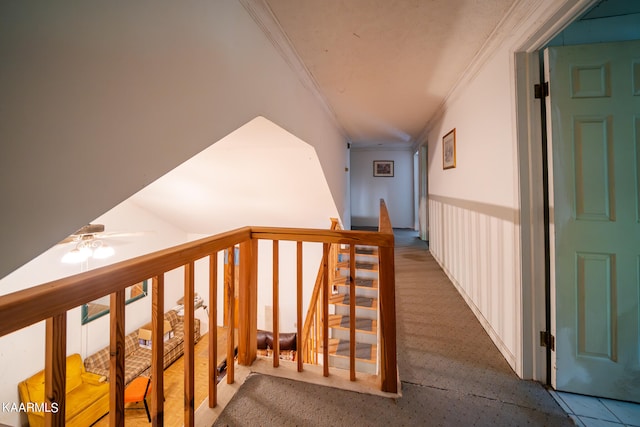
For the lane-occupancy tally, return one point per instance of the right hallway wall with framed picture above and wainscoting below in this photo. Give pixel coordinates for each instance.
(473, 208)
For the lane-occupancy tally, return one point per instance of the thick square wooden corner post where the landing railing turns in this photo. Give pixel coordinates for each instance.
(248, 303)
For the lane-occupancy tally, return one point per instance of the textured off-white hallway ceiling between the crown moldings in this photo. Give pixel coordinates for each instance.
(385, 66)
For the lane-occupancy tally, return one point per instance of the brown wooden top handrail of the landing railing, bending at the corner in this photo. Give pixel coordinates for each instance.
(69, 292)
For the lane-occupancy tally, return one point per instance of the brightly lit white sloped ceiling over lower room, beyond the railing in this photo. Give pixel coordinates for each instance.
(244, 179)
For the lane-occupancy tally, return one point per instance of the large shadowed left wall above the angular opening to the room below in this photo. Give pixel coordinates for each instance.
(101, 99)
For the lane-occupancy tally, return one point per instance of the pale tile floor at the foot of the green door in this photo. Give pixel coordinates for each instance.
(587, 411)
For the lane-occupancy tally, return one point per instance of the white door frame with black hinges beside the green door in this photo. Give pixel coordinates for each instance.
(538, 305)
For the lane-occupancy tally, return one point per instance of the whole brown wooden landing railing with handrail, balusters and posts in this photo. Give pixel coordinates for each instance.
(52, 300)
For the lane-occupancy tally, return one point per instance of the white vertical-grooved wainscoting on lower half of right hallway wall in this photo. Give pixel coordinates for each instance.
(476, 246)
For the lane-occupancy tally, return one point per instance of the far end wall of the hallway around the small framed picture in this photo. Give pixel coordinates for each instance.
(367, 190)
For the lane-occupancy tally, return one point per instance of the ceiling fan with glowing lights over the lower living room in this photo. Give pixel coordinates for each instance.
(90, 243)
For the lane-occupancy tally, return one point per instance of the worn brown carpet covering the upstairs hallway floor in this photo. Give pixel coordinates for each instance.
(451, 372)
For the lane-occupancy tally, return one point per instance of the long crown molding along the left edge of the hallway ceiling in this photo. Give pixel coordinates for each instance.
(263, 16)
